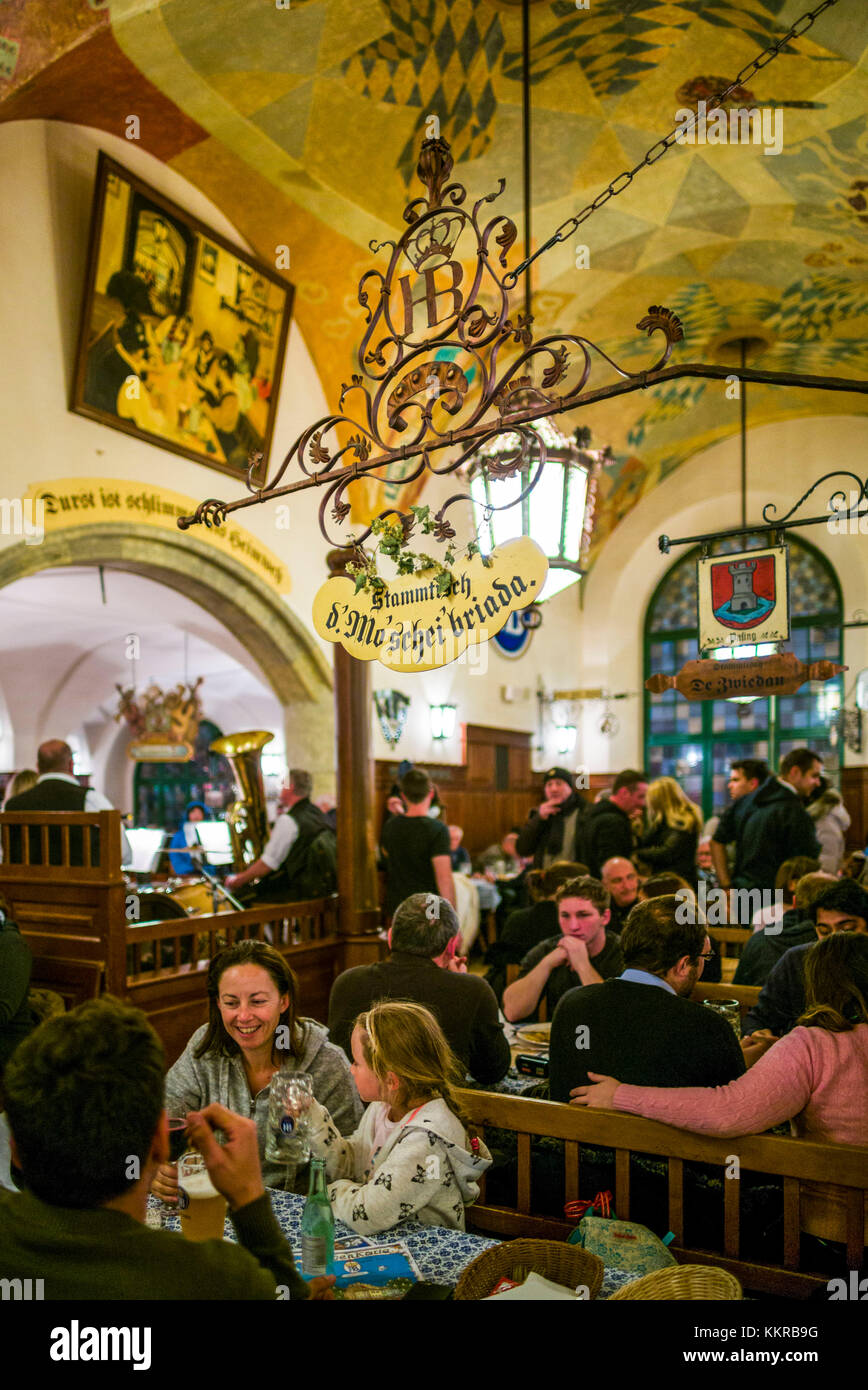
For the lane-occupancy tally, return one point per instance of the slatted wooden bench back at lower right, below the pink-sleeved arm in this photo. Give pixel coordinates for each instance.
(826, 1186)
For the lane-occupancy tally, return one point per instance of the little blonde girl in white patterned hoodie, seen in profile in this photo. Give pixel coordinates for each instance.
(411, 1157)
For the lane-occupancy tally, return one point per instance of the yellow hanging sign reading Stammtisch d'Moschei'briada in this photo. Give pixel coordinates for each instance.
(411, 628)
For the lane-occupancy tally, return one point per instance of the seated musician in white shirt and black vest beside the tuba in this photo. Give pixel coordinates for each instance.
(284, 861)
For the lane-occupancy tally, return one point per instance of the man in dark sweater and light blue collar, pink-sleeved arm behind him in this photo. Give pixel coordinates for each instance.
(643, 1024)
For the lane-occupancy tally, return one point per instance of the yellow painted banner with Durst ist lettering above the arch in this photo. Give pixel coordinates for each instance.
(73, 502)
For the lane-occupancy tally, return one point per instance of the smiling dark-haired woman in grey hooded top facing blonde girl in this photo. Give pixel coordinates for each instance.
(255, 1031)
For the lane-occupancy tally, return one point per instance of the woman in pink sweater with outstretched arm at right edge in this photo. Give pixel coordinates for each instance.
(816, 1077)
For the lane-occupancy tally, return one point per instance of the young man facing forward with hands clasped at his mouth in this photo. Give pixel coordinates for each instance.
(584, 954)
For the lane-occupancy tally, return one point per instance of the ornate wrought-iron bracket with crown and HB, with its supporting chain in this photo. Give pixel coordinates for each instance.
(451, 354)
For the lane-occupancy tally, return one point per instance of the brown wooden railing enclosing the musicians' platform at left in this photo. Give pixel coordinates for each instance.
(63, 883)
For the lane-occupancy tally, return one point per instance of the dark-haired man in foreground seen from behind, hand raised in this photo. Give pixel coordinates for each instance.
(84, 1099)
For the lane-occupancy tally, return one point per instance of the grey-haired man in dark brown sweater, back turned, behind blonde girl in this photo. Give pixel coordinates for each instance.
(425, 968)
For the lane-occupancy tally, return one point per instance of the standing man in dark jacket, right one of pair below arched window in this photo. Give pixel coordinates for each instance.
(777, 825)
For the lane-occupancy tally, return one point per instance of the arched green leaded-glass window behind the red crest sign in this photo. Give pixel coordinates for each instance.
(696, 743)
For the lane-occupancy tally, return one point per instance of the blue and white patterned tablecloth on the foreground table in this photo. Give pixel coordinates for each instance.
(442, 1254)
